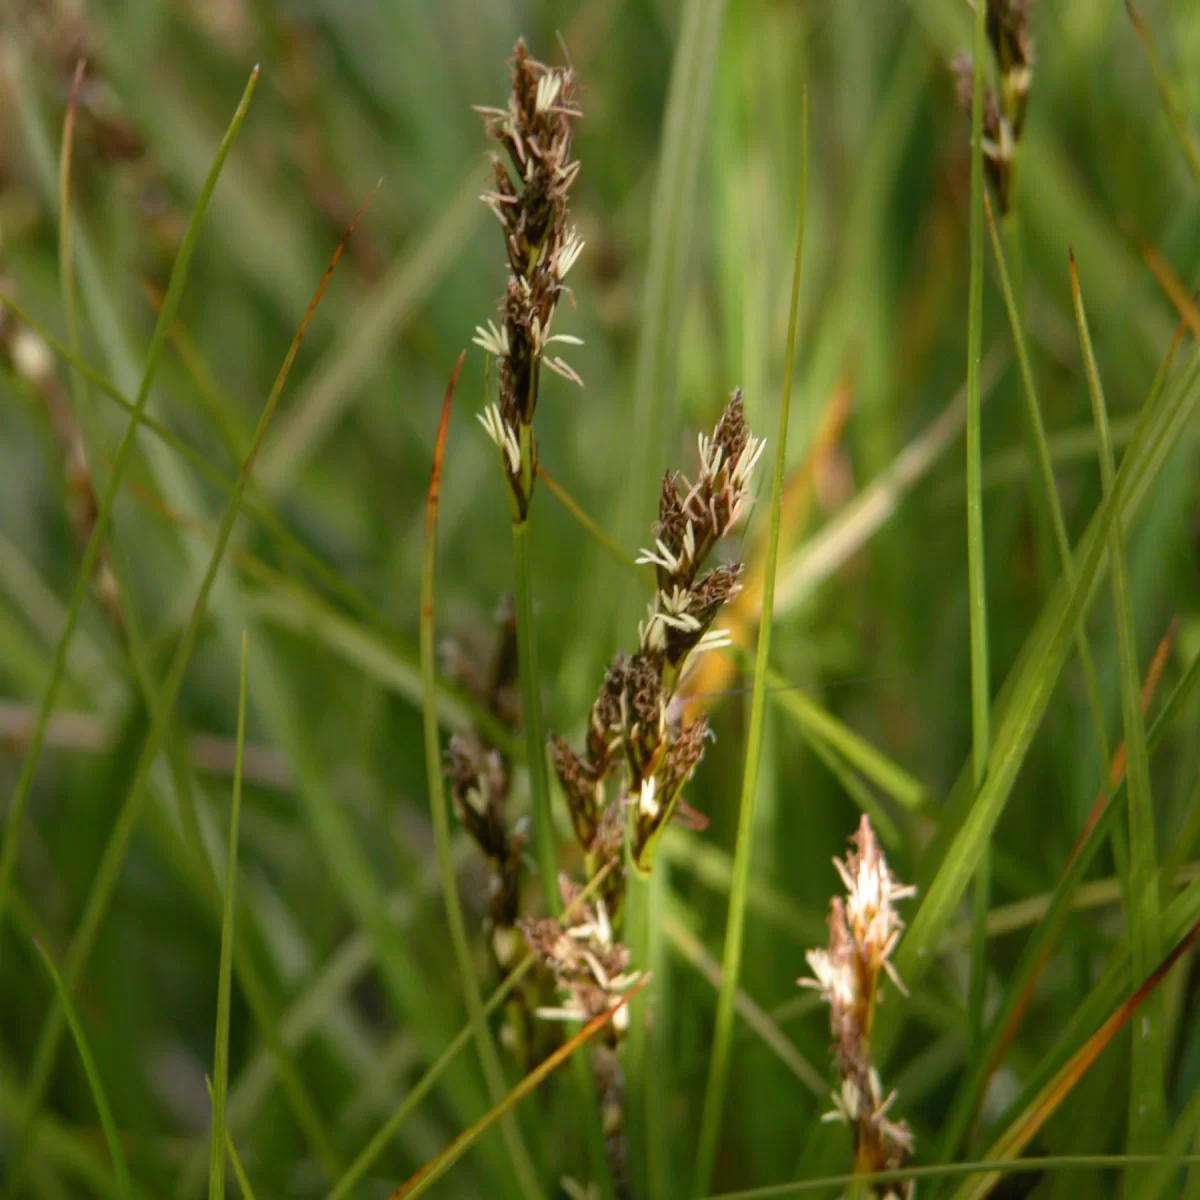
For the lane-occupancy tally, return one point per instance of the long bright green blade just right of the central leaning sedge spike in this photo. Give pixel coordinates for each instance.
(735, 921)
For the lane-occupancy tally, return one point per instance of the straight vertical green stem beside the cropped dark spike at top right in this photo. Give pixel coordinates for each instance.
(981, 691)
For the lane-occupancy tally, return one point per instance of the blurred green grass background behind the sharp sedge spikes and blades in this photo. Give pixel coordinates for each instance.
(681, 295)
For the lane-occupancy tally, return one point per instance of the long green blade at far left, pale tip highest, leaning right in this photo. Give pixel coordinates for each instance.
(175, 293)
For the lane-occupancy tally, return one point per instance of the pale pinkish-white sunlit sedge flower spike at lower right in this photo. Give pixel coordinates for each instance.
(863, 932)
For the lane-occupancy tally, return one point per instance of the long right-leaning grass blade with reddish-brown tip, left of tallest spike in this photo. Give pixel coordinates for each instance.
(109, 872)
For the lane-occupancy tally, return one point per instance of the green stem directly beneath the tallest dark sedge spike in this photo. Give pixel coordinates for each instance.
(545, 843)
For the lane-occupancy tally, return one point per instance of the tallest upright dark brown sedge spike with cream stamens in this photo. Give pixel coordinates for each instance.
(529, 196)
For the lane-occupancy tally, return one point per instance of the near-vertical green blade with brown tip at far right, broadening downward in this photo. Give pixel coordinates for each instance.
(1148, 1100)
